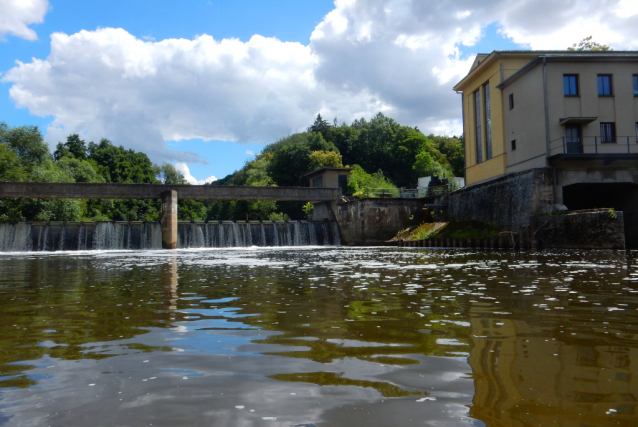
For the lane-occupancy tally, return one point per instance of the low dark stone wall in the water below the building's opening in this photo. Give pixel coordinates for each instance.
(595, 229)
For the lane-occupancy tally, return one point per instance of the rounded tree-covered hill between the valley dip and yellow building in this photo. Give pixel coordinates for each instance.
(384, 154)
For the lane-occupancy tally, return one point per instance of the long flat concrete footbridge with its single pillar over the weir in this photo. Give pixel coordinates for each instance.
(166, 192)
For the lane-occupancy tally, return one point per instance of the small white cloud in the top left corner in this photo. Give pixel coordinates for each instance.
(17, 15)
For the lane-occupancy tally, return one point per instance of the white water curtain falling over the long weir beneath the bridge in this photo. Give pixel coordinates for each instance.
(134, 235)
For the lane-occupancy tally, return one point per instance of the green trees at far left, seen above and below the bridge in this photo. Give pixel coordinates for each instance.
(24, 156)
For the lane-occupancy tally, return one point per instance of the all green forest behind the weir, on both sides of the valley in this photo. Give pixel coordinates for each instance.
(383, 153)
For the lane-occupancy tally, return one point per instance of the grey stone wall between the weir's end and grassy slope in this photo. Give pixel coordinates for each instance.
(374, 221)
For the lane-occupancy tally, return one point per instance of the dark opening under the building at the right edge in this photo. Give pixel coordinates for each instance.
(621, 196)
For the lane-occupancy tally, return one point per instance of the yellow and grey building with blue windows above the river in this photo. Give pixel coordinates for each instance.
(561, 109)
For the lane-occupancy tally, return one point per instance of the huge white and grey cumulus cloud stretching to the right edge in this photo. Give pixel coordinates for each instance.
(400, 57)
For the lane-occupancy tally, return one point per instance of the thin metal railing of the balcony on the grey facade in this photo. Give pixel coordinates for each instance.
(588, 145)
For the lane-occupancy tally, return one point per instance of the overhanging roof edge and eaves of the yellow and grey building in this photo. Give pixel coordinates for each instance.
(484, 59)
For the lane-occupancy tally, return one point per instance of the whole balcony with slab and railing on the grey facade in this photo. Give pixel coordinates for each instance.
(594, 147)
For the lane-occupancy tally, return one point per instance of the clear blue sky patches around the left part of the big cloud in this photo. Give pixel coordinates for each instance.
(290, 20)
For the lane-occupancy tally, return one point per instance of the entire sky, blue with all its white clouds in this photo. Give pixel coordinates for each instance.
(207, 102)
